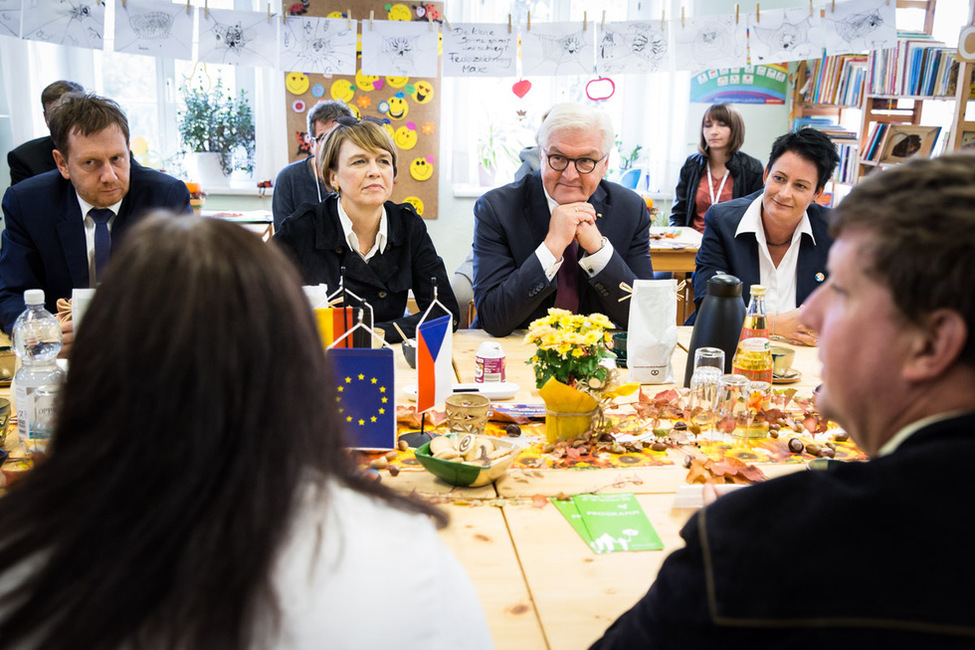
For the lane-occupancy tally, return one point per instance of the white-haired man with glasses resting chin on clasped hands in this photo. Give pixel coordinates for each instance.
(562, 237)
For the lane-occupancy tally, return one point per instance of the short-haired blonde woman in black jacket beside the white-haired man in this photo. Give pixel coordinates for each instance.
(383, 246)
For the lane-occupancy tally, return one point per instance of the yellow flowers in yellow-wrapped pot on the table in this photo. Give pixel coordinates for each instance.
(570, 372)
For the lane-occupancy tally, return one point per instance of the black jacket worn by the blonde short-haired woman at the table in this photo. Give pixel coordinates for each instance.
(314, 239)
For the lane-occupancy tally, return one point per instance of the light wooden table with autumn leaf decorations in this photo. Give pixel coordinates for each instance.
(539, 584)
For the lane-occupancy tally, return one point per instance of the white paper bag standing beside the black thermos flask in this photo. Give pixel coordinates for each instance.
(652, 334)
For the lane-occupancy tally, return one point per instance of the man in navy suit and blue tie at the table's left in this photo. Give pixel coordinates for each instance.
(61, 225)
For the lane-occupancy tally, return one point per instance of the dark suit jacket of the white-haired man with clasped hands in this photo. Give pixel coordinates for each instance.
(510, 286)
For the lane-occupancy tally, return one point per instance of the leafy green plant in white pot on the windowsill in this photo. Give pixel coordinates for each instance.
(216, 122)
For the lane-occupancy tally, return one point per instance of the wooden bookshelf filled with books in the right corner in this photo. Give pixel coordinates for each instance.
(894, 87)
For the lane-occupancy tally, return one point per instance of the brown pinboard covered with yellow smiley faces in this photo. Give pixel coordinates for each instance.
(366, 96)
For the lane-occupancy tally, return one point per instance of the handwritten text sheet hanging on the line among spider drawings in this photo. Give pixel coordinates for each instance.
(479, 50)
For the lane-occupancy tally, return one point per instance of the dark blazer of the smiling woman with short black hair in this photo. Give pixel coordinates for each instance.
(722, 251)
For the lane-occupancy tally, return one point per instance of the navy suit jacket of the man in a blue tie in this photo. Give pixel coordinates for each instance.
(44, 243)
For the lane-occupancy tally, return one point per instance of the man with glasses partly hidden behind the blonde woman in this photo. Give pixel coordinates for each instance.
(298, 182)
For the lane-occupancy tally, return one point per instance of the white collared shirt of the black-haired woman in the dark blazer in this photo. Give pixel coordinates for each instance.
(779, 282)
